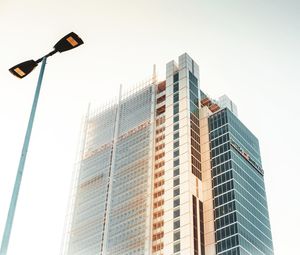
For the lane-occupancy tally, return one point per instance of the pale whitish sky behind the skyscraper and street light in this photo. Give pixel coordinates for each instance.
(246, 49)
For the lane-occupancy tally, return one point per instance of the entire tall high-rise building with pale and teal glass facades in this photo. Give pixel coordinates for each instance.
(167, 170)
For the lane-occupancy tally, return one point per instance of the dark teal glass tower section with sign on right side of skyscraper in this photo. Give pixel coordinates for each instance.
(240, 206)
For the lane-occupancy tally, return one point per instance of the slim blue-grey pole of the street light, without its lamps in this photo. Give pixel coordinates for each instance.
(14, 198)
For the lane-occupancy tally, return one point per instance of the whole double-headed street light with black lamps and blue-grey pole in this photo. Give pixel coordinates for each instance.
(68, 42)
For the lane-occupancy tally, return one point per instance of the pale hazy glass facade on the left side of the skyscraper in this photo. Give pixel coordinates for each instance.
(111, 201)
